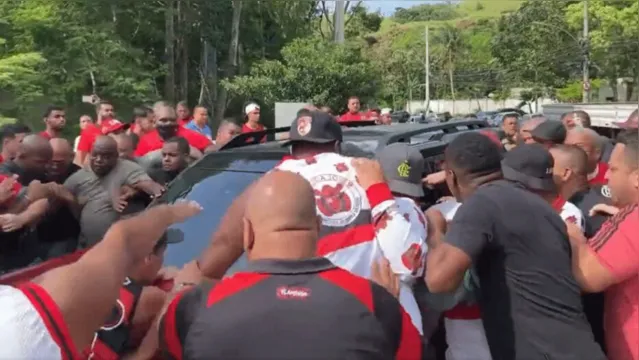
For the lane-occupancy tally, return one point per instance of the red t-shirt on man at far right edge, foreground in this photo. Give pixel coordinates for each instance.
(616, 245)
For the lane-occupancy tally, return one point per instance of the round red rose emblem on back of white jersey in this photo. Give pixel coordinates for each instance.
(338, 200)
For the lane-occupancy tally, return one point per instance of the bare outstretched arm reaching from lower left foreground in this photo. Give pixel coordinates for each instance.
(100, 272)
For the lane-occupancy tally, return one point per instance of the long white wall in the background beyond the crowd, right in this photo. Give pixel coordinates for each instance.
(467, 106)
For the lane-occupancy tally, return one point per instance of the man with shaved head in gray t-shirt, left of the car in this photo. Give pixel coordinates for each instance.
(96, 186)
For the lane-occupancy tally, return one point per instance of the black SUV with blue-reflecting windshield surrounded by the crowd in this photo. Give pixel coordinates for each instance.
(218, 178)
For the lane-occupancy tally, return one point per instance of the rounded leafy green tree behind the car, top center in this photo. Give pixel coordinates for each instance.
(311, 70)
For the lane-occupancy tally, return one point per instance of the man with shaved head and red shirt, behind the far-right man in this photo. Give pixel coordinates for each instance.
(592, 144)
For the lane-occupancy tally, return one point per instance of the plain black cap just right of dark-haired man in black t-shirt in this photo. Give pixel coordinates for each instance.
(531, 165)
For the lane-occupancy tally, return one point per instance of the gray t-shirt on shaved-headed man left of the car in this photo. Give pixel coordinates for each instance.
(98, 213)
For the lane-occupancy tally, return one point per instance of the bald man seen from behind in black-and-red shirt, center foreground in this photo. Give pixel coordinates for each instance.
(286, 294)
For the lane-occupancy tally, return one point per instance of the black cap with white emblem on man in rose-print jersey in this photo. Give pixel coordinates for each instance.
(314, 127)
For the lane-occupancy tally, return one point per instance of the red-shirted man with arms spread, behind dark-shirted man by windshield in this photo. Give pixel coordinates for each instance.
(166, 127)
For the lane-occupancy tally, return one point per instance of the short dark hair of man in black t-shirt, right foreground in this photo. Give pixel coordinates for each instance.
(473, 154)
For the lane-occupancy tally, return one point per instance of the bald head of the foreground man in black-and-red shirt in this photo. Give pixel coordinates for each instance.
(281, 220)
